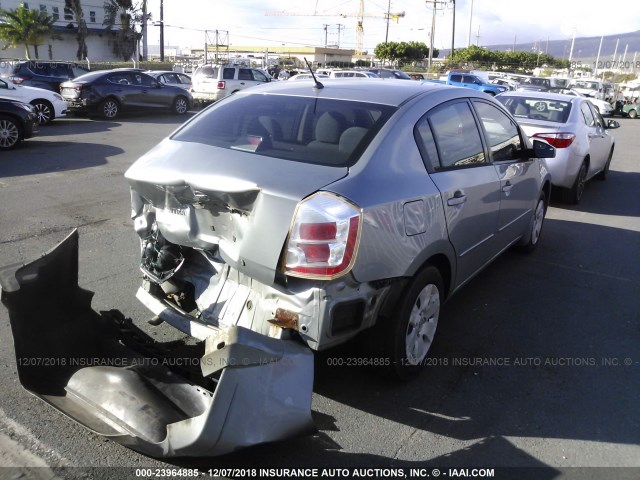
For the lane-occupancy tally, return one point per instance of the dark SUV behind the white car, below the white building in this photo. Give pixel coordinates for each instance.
(47, 75)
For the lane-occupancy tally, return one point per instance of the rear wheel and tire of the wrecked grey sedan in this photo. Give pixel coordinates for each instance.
(405, 339)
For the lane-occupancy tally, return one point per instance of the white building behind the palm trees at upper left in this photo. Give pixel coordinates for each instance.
(99, 43)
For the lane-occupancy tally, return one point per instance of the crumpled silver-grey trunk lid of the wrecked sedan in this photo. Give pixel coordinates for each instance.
(235, 203)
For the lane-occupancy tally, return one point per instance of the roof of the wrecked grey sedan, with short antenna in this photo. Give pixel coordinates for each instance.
(391, 92)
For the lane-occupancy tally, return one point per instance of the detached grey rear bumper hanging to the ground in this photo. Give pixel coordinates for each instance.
(237, 389)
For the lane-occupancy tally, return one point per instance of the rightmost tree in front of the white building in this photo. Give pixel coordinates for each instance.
(124, 15)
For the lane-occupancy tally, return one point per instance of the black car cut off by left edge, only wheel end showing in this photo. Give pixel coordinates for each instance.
(18, 121)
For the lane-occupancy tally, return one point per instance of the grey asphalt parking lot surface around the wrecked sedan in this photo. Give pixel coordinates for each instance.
(535, 364)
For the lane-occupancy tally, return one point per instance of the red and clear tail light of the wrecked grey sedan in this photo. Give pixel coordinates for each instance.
(323, 239)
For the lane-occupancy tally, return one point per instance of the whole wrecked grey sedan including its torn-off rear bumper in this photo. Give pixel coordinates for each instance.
(395, 195)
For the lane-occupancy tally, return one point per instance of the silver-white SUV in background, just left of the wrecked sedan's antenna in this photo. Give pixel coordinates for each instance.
(211, 83)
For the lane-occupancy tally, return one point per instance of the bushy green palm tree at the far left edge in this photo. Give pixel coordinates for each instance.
(25, 27)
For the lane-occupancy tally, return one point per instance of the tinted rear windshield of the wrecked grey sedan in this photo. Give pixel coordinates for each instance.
(300, 129)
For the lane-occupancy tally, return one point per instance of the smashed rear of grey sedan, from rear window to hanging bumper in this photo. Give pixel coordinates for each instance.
(247, 261)
